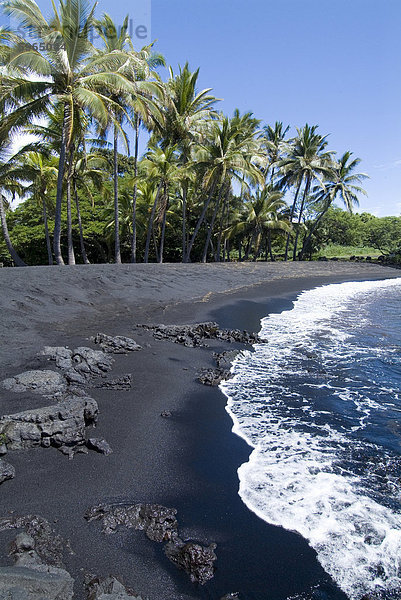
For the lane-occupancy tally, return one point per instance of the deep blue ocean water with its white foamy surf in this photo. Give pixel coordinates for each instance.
(320, 404)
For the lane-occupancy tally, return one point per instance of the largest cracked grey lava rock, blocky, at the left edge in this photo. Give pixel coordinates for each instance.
(60, 425)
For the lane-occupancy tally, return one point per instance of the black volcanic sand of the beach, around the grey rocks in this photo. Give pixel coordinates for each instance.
(188, 461)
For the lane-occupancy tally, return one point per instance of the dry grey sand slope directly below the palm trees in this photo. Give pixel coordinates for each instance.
(38, 304)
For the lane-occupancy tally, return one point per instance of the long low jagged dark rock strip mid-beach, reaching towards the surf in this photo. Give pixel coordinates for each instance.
(195, 335)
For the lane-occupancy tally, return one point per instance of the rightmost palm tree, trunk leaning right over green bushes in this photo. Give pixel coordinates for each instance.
(344, 184)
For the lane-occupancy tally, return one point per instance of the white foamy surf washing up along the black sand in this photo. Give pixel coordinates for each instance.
(295, 477)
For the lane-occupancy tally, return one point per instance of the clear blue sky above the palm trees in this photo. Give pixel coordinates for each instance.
(331, 63)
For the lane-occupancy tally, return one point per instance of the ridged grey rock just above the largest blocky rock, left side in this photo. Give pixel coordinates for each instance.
(81, 364)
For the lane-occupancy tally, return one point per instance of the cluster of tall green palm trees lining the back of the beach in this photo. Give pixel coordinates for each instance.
(223, 182)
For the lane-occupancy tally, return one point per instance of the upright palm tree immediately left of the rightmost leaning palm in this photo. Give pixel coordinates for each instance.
(307, 161)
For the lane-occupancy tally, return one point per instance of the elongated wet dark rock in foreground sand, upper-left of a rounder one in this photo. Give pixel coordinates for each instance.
(158, 522)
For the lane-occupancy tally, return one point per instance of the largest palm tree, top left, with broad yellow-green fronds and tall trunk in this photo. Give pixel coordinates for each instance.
(68, 71)
